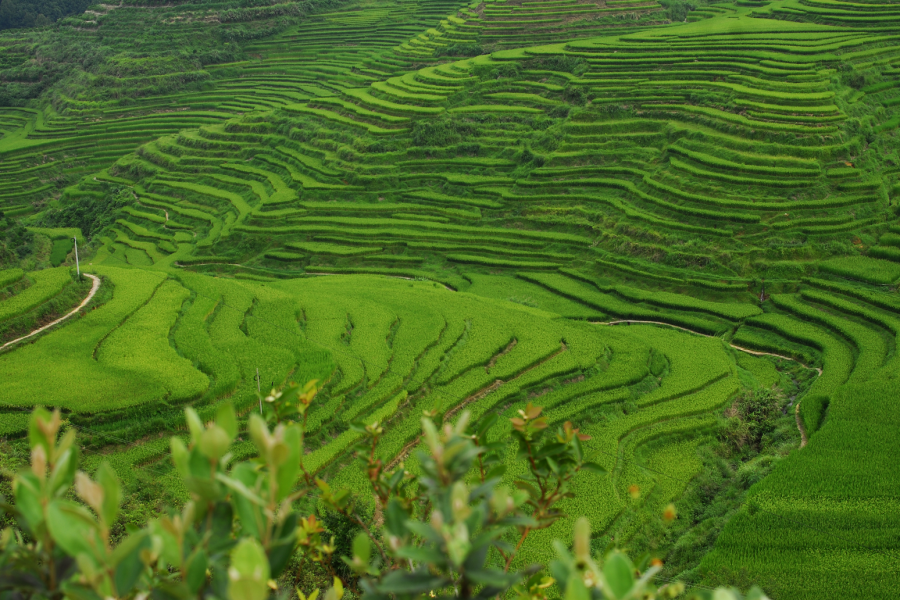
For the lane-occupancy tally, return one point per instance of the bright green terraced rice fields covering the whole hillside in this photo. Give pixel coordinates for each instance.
(735, 176)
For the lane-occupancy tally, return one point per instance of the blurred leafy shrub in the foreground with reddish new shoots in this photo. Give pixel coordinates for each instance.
(450, 531)
